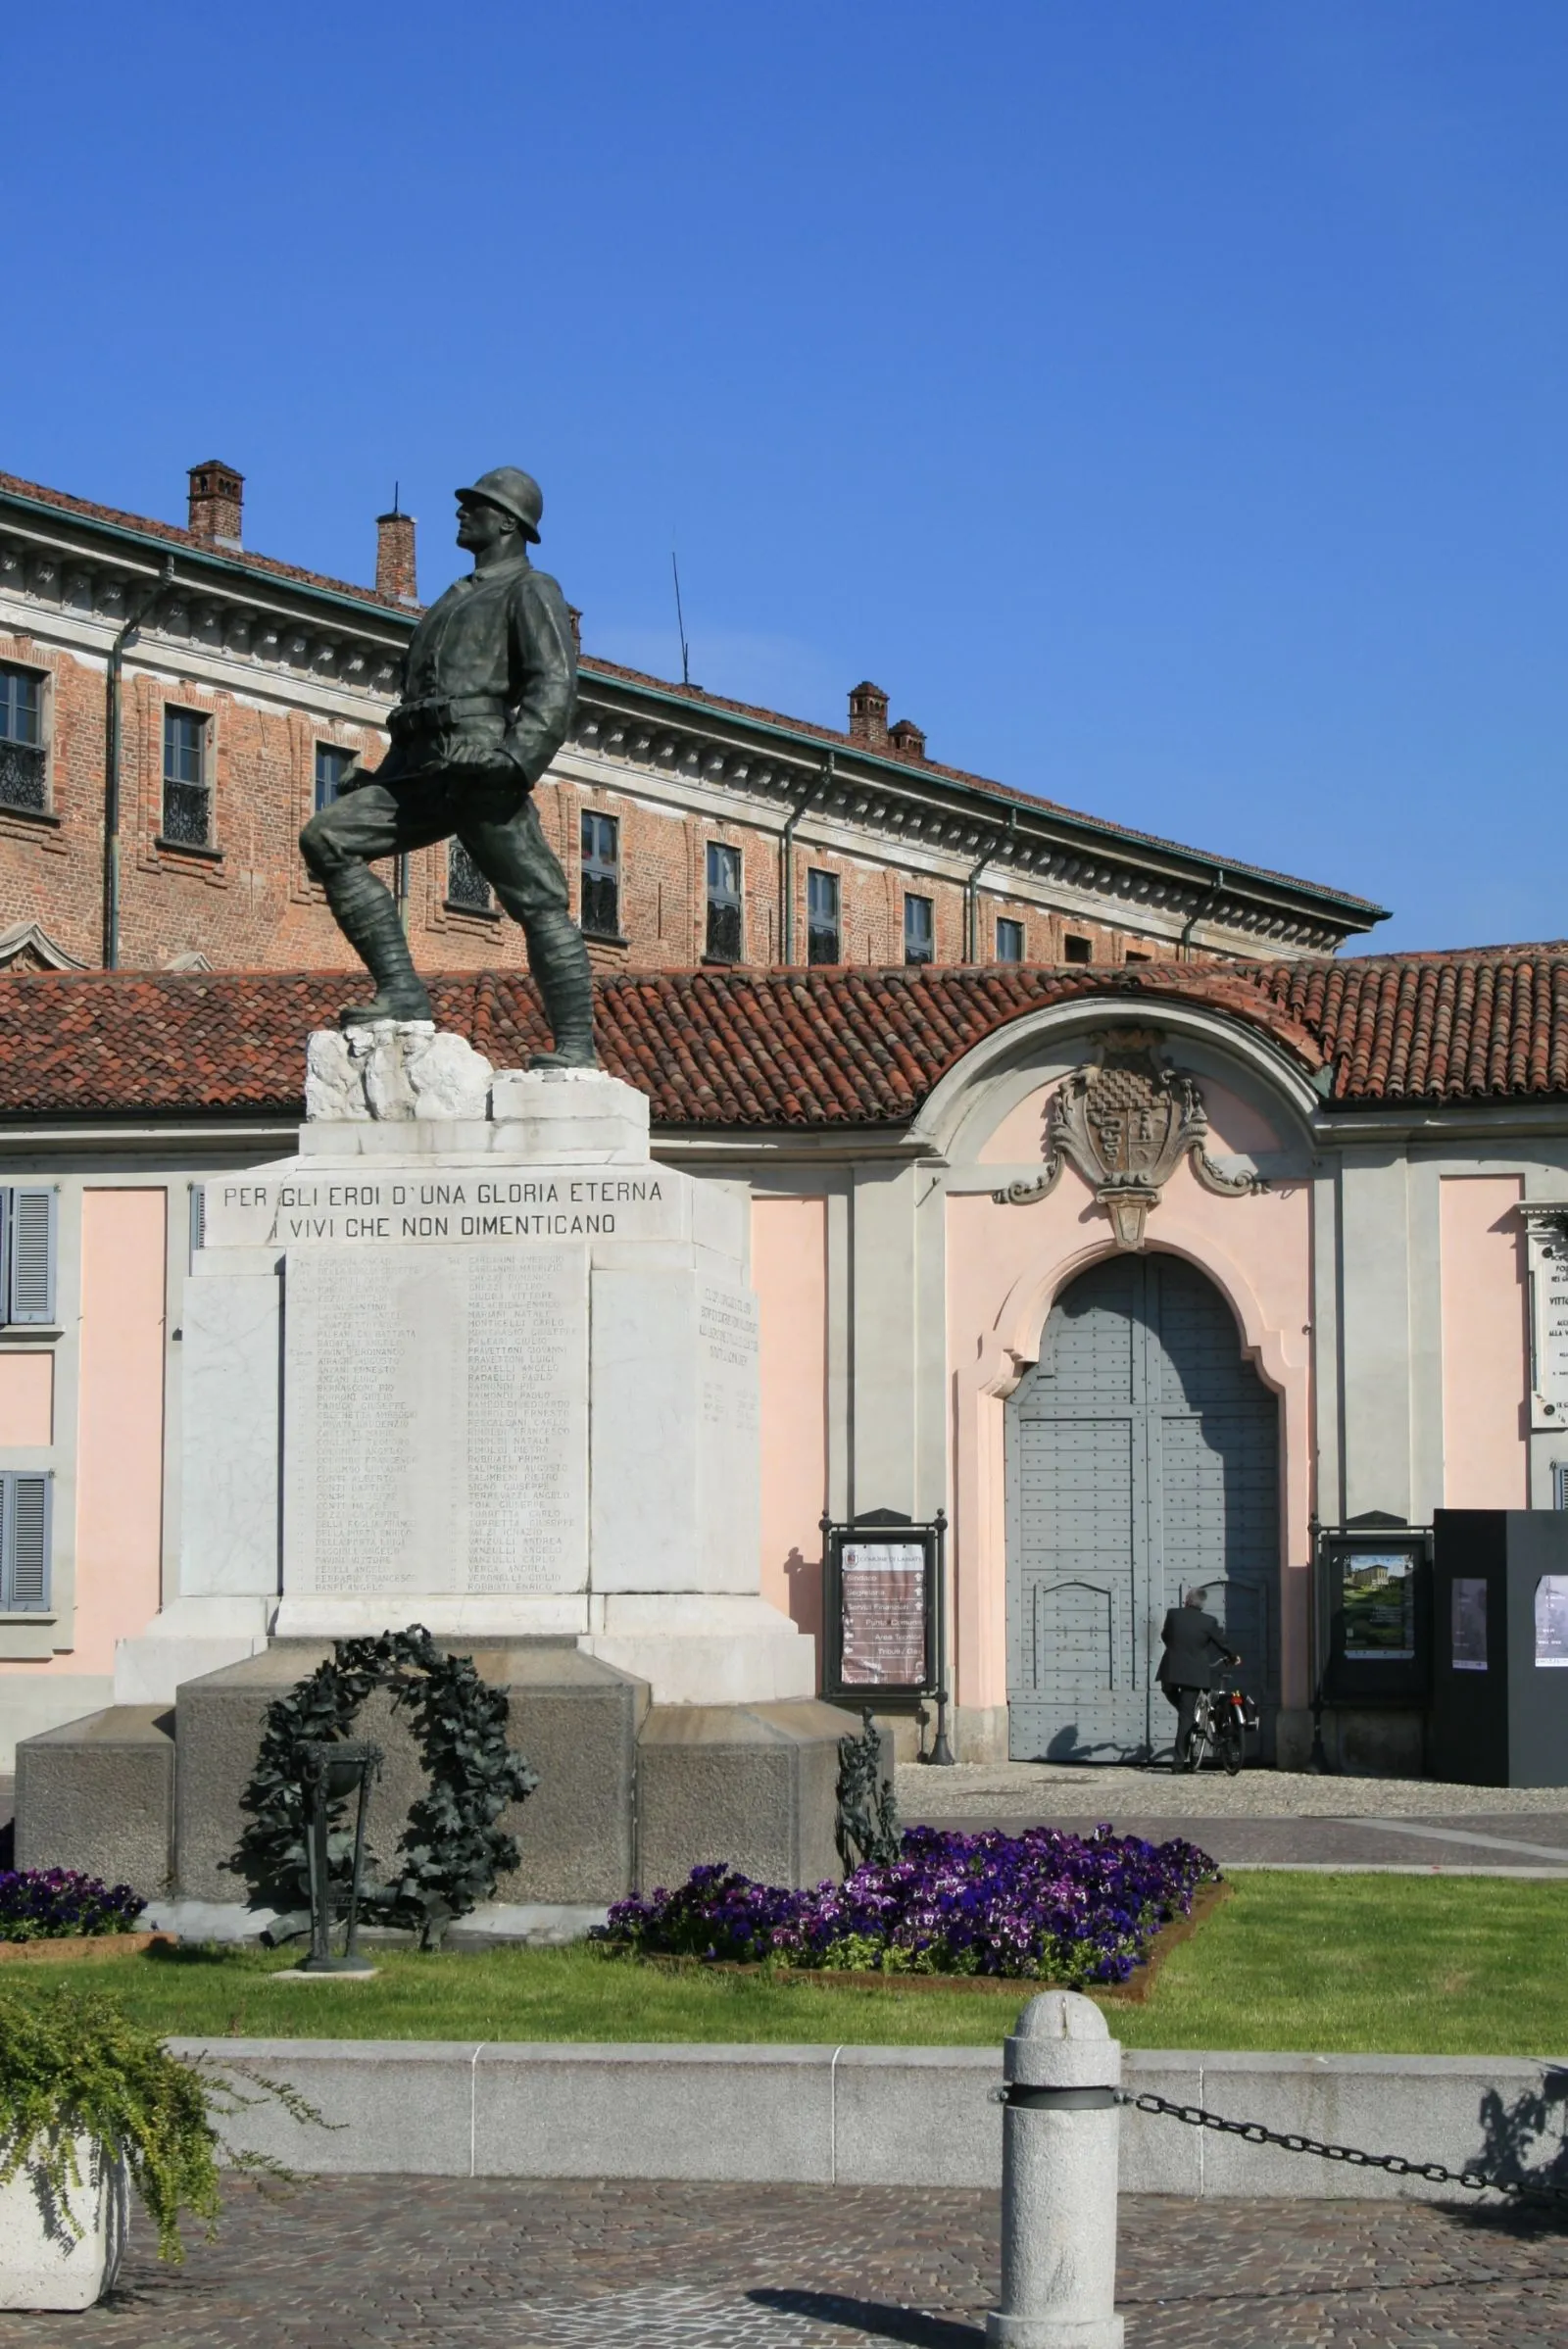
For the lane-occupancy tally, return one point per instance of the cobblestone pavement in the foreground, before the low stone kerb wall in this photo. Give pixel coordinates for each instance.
(360, 2263)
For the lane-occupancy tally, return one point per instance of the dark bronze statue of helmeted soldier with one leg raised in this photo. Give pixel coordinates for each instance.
(489, 694)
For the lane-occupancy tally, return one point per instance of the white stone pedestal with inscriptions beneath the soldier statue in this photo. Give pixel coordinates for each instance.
(489, 1371)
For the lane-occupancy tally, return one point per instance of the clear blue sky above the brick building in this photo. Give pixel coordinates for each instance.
(1165, 403)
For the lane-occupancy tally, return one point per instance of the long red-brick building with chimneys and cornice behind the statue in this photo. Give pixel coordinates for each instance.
(173, 708)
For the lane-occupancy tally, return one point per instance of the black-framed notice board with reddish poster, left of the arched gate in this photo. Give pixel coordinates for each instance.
(881, 1610)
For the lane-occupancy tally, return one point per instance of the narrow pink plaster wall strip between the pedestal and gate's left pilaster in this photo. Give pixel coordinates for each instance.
(790, 1274)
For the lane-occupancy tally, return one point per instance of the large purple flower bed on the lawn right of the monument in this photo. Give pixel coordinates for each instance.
(1039, 1906)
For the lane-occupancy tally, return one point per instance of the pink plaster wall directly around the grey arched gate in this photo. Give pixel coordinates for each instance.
(1006, 1265)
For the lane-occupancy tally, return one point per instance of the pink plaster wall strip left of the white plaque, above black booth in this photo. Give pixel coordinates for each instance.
(1487, 1345)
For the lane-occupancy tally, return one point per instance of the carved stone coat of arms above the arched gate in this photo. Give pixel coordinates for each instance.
(1128, 1122)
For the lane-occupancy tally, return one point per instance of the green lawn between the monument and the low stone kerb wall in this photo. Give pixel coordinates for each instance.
(1311, 1963)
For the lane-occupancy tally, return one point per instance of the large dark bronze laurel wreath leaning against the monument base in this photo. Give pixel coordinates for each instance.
(452, 1850)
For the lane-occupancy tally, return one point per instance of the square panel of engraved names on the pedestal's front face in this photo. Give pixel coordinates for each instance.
(435, 1427)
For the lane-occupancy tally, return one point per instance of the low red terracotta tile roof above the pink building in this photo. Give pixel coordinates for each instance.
(788, 1049)
